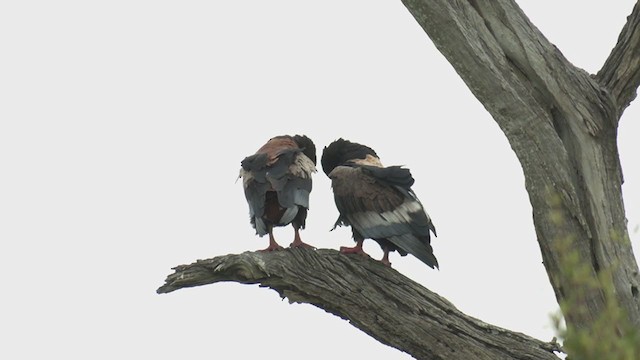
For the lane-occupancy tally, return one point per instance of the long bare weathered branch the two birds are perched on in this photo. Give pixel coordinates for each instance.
(372, 297)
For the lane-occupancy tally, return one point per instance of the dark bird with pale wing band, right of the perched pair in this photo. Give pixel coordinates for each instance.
(377, 202)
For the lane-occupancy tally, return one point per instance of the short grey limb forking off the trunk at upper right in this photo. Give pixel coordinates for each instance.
(621, 71)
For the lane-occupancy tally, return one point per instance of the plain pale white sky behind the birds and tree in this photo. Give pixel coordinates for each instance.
(122, 127)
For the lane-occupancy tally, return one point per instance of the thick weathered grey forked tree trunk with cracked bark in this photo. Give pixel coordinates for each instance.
(562, 124)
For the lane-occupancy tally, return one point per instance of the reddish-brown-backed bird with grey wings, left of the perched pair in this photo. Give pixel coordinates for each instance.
(277, 183)
